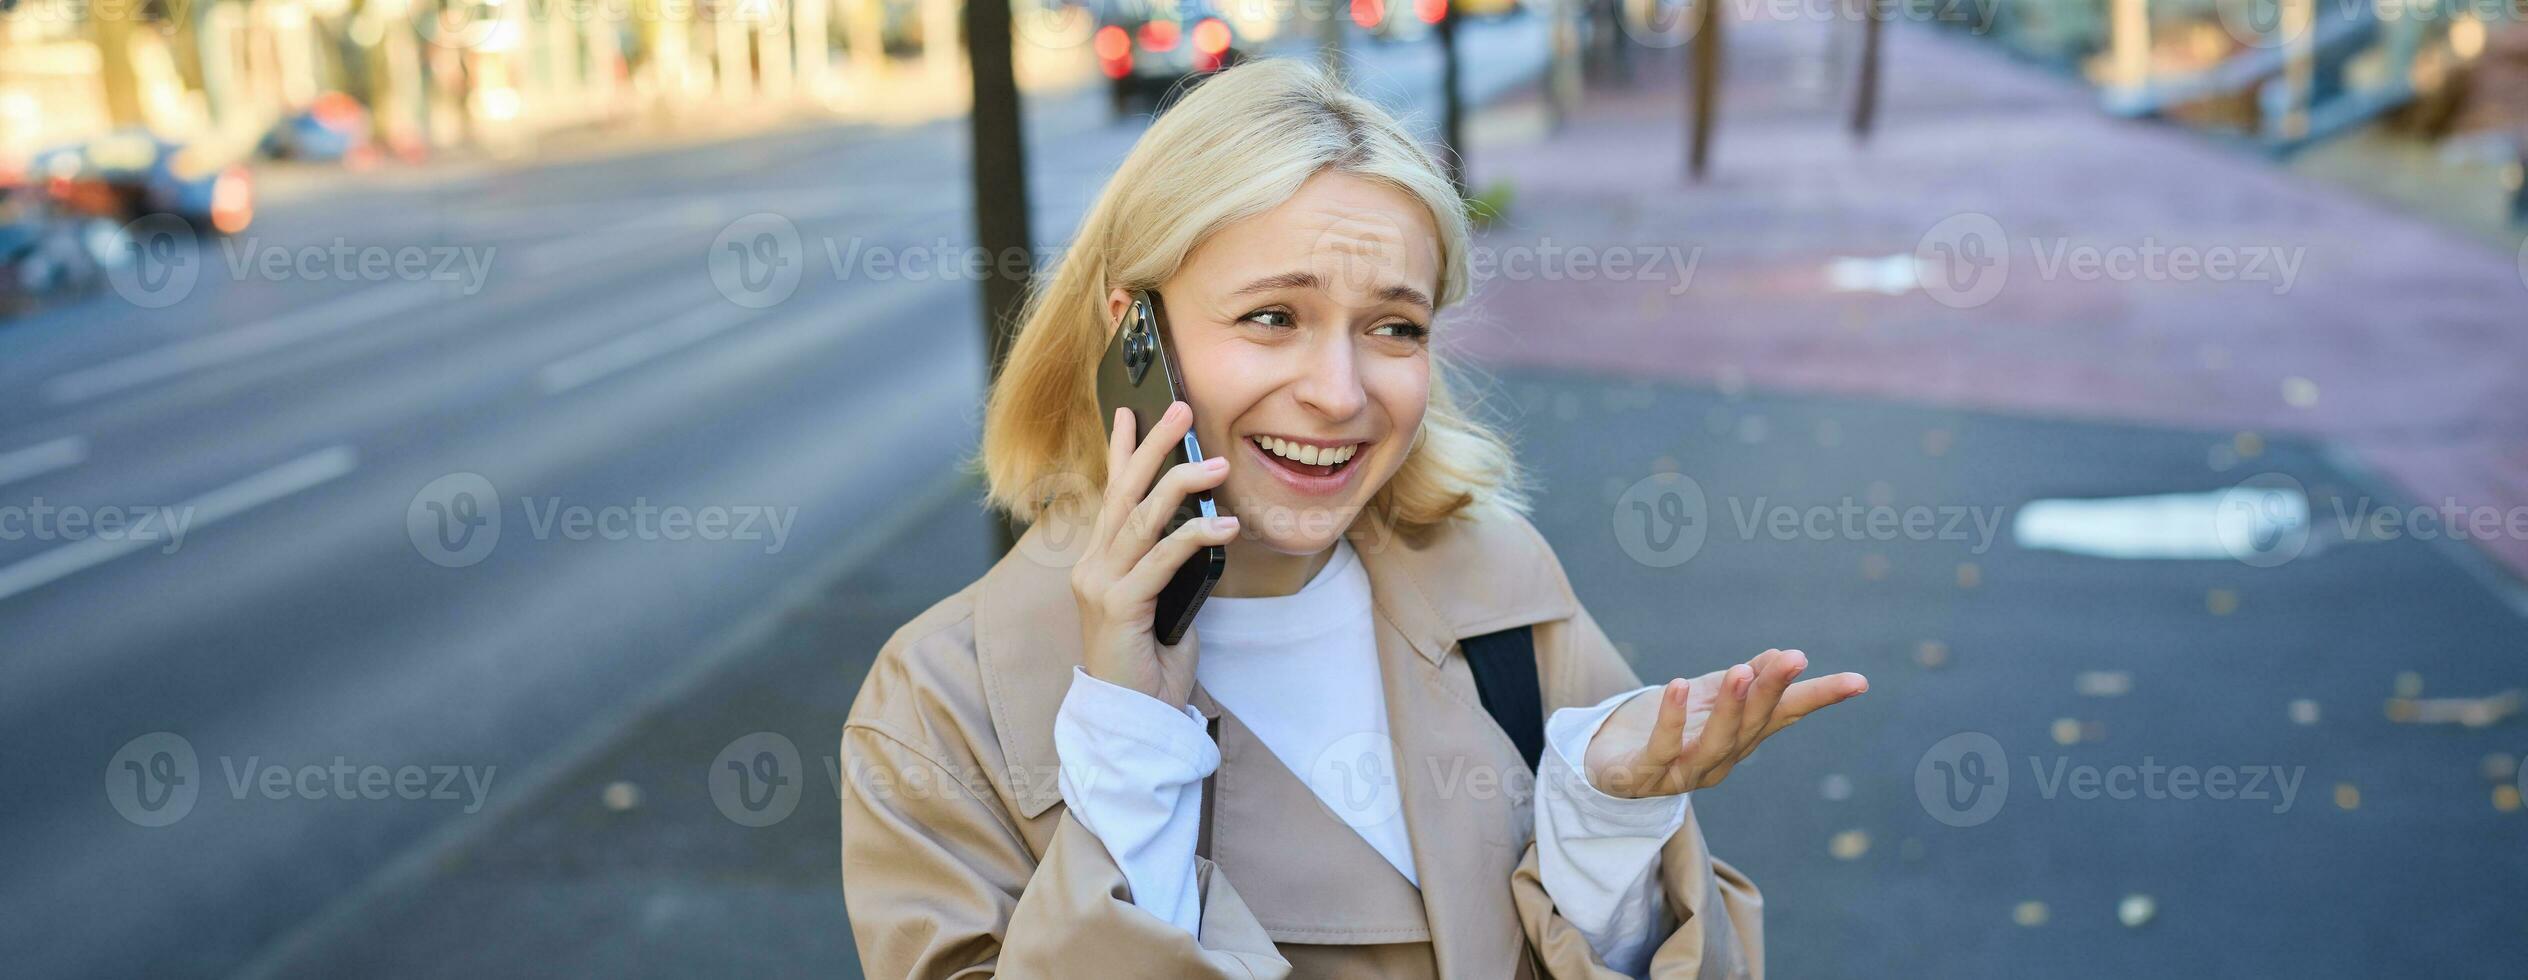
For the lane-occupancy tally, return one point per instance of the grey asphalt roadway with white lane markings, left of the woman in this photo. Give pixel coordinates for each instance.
(416, 489)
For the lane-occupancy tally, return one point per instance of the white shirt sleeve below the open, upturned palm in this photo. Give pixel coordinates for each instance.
(1599, 855)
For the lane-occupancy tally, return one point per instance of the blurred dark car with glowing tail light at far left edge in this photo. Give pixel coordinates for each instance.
(135, 173)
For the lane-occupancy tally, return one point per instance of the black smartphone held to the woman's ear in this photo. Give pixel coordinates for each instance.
(1141, 375)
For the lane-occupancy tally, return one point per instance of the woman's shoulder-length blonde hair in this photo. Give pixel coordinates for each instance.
(1235, 148)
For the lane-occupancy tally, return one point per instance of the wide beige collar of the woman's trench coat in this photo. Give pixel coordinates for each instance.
(1480, 572)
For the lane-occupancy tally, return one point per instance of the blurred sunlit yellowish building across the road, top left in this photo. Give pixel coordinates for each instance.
(431, 75)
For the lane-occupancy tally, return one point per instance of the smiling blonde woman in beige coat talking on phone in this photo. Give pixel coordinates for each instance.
(1311, 782)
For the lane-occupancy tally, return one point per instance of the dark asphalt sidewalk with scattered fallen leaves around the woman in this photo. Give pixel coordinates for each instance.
(1872, 865)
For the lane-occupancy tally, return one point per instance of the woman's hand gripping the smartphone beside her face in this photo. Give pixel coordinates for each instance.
(1129, 562)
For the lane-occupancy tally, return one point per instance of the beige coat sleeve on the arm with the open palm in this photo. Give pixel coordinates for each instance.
(1718, 913)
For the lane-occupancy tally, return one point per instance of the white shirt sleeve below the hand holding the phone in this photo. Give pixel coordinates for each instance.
(1134, 774)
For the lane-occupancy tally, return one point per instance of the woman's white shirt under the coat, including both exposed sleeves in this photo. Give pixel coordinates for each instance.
(1303, 676)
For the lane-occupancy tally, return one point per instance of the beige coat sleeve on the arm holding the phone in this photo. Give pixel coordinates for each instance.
(939, 883)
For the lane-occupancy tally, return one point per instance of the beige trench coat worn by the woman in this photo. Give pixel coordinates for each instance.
(959, 857)
